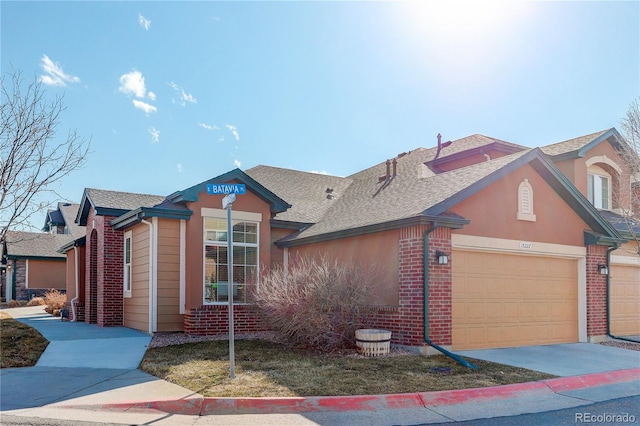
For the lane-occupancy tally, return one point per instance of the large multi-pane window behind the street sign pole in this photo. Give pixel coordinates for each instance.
(216, 264)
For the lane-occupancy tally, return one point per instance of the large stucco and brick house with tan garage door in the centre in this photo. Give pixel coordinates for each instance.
(479, 243)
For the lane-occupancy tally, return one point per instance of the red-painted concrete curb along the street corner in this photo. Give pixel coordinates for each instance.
(294, 405)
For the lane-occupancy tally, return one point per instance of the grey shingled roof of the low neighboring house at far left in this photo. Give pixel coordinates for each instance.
(35, 244)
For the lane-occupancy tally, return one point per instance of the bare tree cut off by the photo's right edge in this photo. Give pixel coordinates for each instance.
(630, 126)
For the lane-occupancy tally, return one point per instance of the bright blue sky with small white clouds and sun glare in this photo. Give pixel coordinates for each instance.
(174, 93)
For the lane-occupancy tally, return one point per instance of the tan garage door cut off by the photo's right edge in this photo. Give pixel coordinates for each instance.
(625, 300)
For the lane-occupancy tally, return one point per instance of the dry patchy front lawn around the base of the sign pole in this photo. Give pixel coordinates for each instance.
(267, 369)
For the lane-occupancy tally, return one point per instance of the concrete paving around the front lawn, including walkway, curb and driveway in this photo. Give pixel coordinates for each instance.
(100, 382)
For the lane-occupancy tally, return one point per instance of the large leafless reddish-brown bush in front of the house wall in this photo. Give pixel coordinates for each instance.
(316, 303)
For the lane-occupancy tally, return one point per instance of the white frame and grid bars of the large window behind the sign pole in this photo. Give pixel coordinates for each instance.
(251, 218)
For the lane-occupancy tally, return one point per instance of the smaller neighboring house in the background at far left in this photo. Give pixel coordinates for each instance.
(31, 262)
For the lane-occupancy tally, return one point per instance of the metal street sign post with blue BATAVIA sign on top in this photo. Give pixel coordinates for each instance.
(231, 190)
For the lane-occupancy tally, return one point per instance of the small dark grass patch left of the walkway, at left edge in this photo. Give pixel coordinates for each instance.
(20, 345)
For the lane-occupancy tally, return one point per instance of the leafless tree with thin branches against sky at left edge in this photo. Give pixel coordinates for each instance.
(31, 157)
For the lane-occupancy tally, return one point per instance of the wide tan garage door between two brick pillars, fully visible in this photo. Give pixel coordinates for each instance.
(505, 300)
